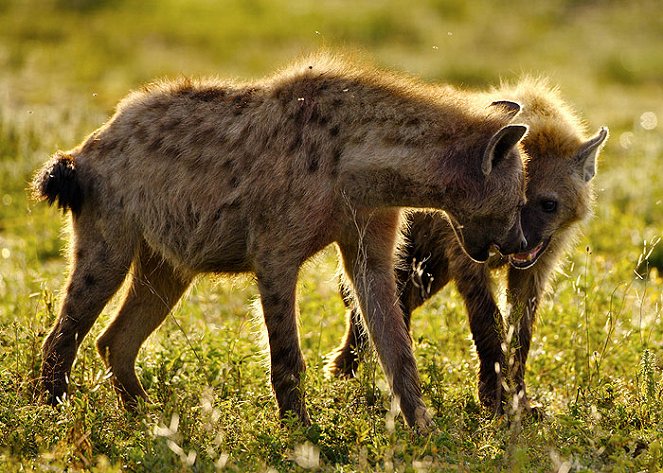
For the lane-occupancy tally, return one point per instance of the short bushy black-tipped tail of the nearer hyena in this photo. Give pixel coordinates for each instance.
(58, 182)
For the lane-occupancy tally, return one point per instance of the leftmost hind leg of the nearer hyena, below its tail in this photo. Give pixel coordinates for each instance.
(99, 267)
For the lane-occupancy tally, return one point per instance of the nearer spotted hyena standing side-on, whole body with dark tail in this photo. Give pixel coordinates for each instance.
(192, 177)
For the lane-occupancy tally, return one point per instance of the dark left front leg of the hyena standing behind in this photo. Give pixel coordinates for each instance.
(474, 285)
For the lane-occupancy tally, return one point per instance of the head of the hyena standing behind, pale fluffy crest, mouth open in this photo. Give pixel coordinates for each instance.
(560, 167)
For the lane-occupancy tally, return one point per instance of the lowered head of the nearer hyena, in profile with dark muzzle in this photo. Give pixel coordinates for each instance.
(489, 215)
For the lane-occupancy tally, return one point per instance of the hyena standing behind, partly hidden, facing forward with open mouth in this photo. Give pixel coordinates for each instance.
(562, 163)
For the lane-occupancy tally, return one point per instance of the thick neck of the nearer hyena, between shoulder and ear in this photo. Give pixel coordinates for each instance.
(400, 150)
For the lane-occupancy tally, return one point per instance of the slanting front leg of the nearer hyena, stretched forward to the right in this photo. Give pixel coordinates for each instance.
(367, 250)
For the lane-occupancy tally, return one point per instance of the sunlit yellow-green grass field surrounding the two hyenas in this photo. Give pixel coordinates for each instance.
(597, 355)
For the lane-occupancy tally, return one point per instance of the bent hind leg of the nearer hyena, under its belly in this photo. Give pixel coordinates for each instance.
(155, 289)
